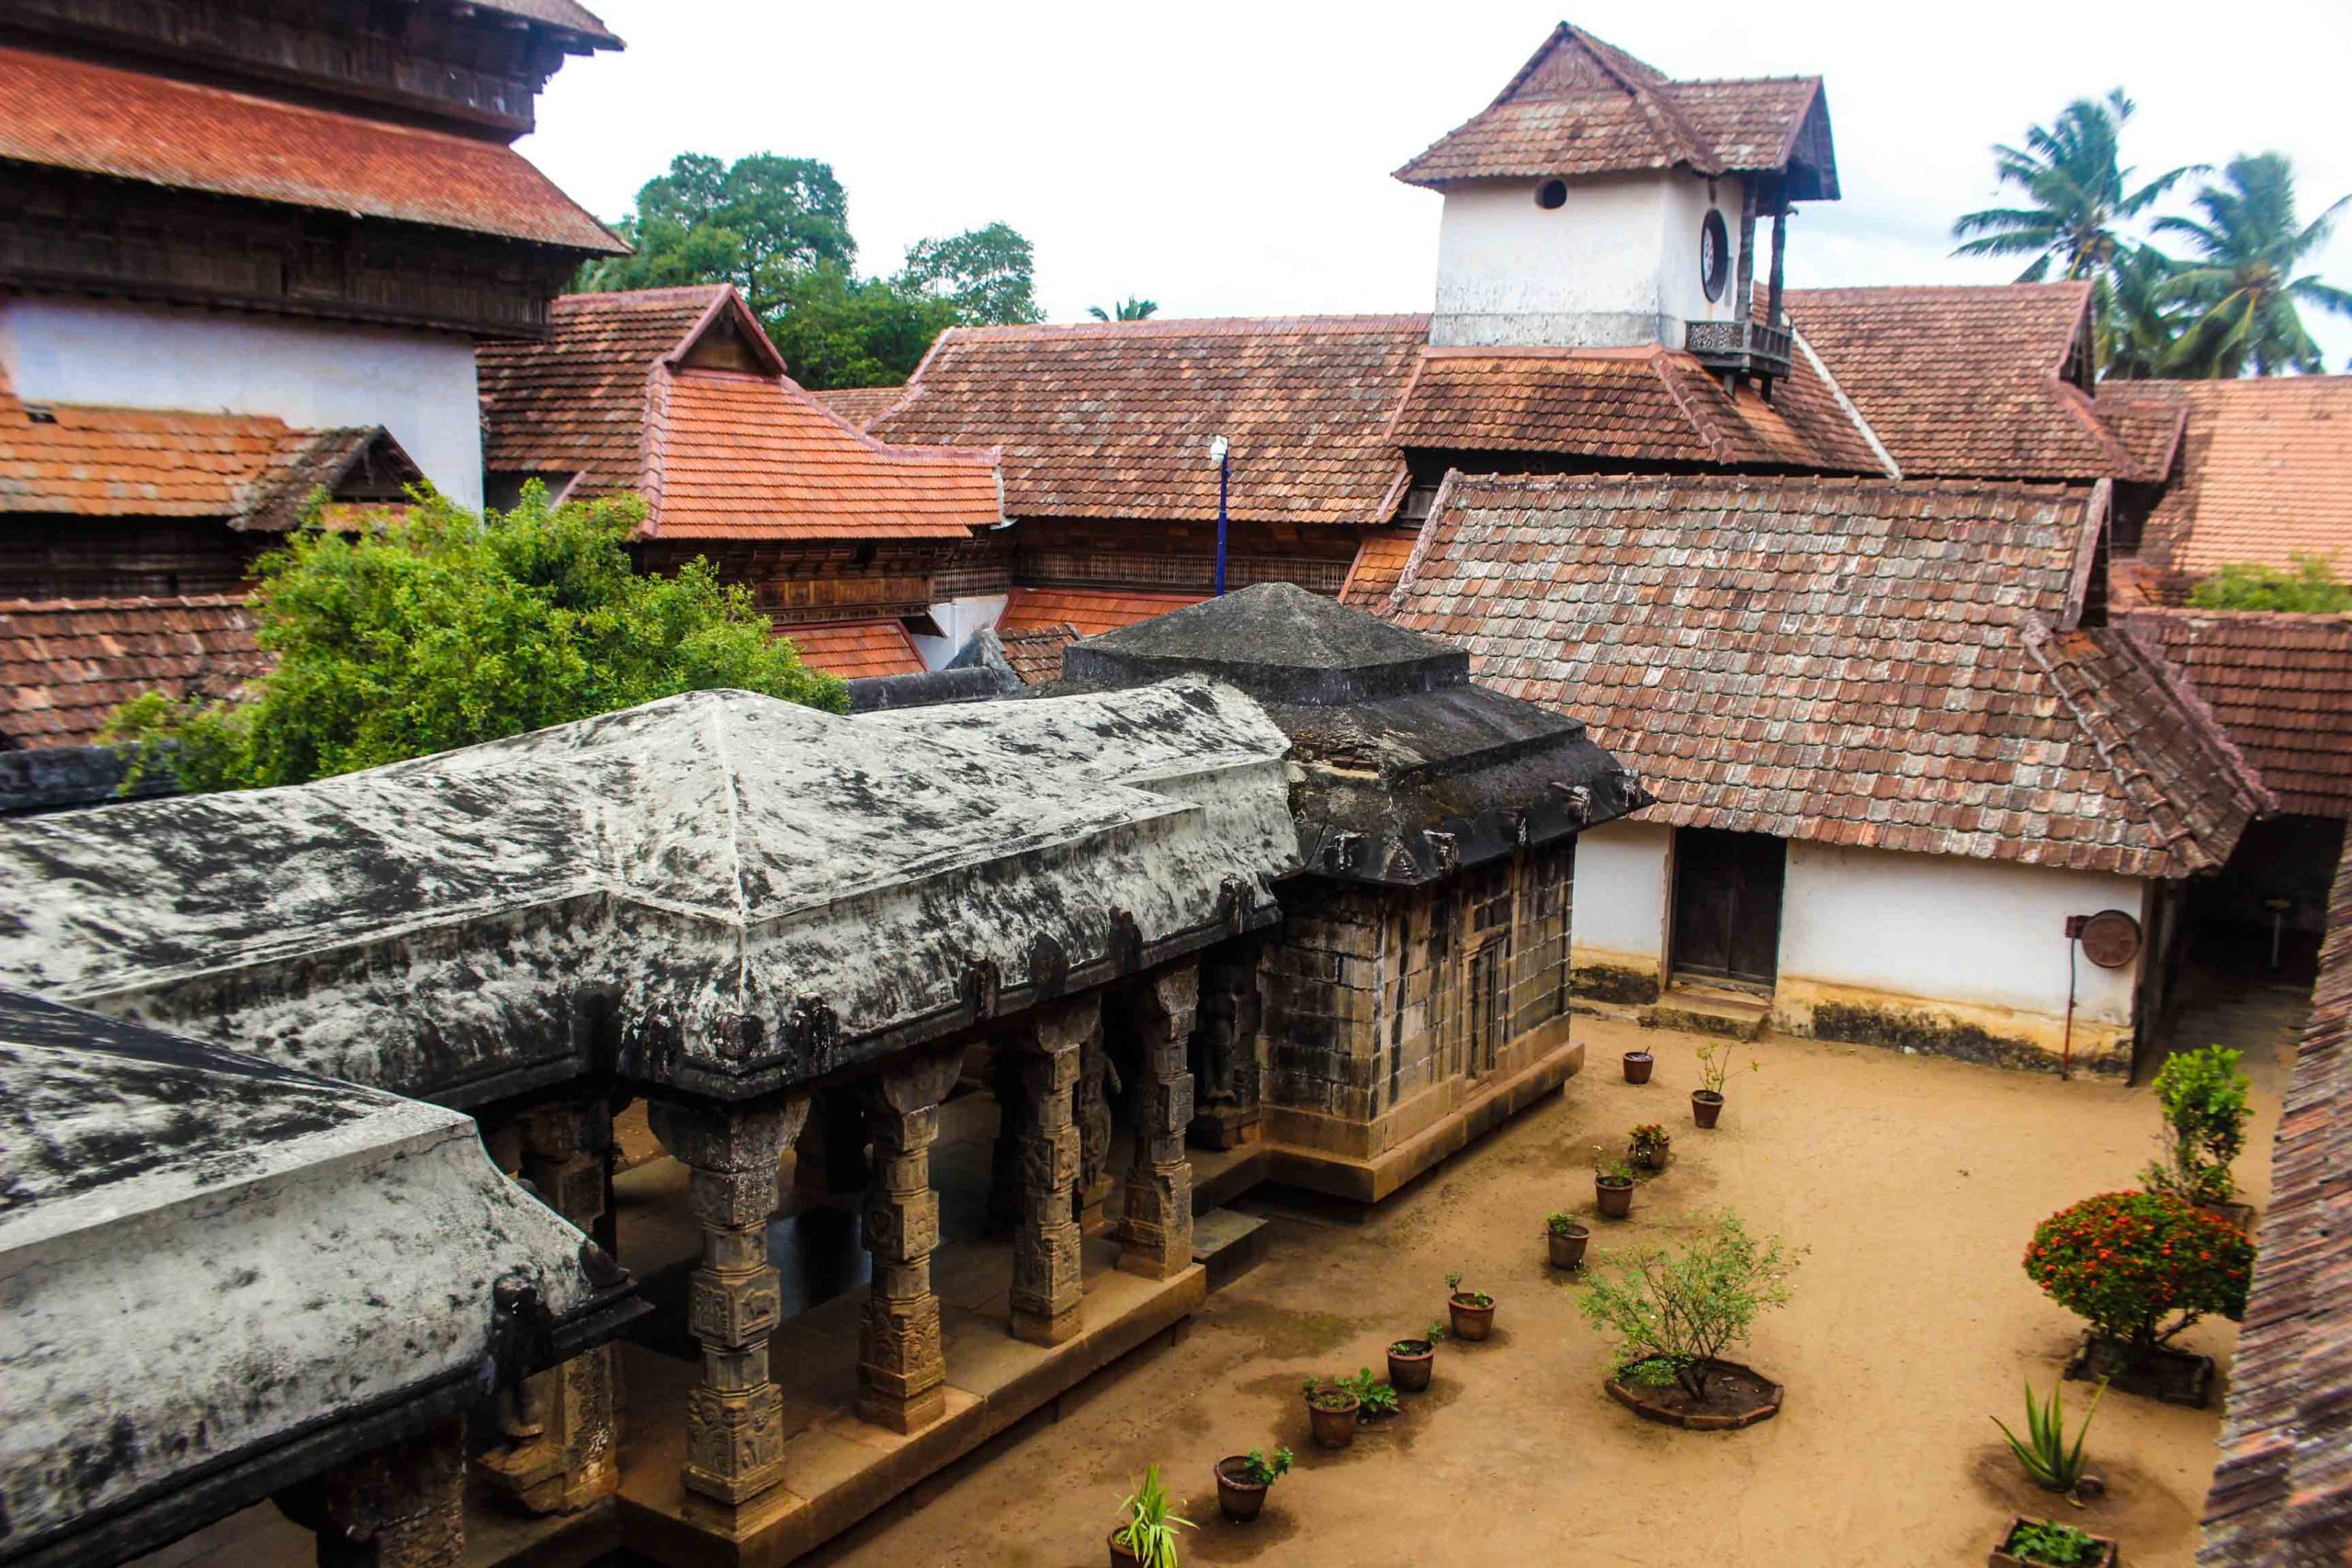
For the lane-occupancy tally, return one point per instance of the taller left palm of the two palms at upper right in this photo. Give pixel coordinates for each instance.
(2076, 194)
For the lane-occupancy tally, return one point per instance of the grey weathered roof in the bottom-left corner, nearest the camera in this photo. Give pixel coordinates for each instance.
(203, 1257)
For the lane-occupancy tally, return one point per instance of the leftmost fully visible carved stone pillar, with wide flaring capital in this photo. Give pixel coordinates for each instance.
(735, 1416)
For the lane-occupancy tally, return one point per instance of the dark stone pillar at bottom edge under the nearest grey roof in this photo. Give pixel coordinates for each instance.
(396, 1508)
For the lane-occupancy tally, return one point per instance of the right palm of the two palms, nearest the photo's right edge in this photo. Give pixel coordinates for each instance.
(2243, 290)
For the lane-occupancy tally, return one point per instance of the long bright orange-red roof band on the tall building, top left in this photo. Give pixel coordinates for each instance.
(69, 114)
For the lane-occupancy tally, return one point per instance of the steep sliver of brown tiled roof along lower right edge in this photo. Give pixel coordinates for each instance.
(2283, 1492)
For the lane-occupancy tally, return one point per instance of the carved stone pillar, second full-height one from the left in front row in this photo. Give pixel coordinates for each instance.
(902, 1362)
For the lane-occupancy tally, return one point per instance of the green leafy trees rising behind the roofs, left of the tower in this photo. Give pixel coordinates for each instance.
(780, 232)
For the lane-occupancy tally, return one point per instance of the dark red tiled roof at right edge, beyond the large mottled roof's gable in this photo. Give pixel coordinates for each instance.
(2280, 688)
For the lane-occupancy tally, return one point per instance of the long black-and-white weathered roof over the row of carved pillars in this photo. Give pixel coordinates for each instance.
(719, 892)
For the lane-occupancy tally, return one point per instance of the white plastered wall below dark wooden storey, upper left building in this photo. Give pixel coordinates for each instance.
(307, 373)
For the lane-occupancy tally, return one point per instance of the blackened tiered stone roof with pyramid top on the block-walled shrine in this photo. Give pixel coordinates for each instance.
(1405, 770)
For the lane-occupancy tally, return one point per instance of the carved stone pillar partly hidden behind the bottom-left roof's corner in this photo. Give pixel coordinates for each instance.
(561, 1452)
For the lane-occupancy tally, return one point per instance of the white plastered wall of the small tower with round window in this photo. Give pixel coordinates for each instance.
(1615, 267)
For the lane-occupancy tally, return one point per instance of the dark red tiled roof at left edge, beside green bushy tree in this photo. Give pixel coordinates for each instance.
(67, 664)
